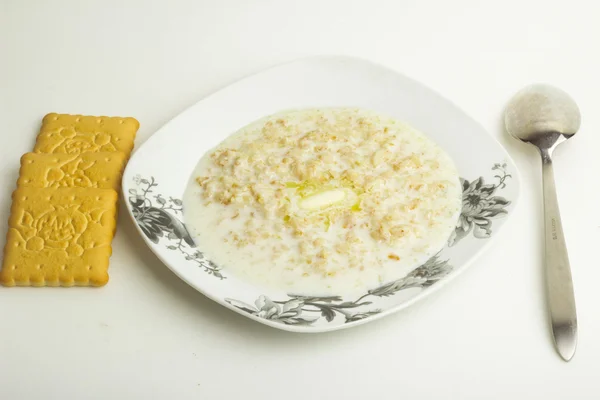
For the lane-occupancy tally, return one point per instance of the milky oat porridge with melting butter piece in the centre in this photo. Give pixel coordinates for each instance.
(323, 201)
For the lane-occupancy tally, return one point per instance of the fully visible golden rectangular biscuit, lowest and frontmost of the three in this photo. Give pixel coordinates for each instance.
(59, 237)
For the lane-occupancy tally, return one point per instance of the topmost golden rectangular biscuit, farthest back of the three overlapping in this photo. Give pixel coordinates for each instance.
(74, 134)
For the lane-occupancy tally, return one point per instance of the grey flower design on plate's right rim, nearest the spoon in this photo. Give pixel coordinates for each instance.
(480, 206)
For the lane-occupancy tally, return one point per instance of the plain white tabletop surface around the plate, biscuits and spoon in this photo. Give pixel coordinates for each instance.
(148, 335)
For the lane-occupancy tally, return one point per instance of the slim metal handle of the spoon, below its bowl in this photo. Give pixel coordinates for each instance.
(559, 284)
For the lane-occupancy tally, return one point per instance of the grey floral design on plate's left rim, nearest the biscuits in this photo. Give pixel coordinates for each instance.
(158, 221)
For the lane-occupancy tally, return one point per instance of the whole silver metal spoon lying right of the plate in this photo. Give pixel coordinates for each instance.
(545, 116)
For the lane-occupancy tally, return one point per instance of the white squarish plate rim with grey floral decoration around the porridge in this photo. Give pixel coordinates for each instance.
(157, 174)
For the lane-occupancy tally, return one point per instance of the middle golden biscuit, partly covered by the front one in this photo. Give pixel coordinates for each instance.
(86, 170)
